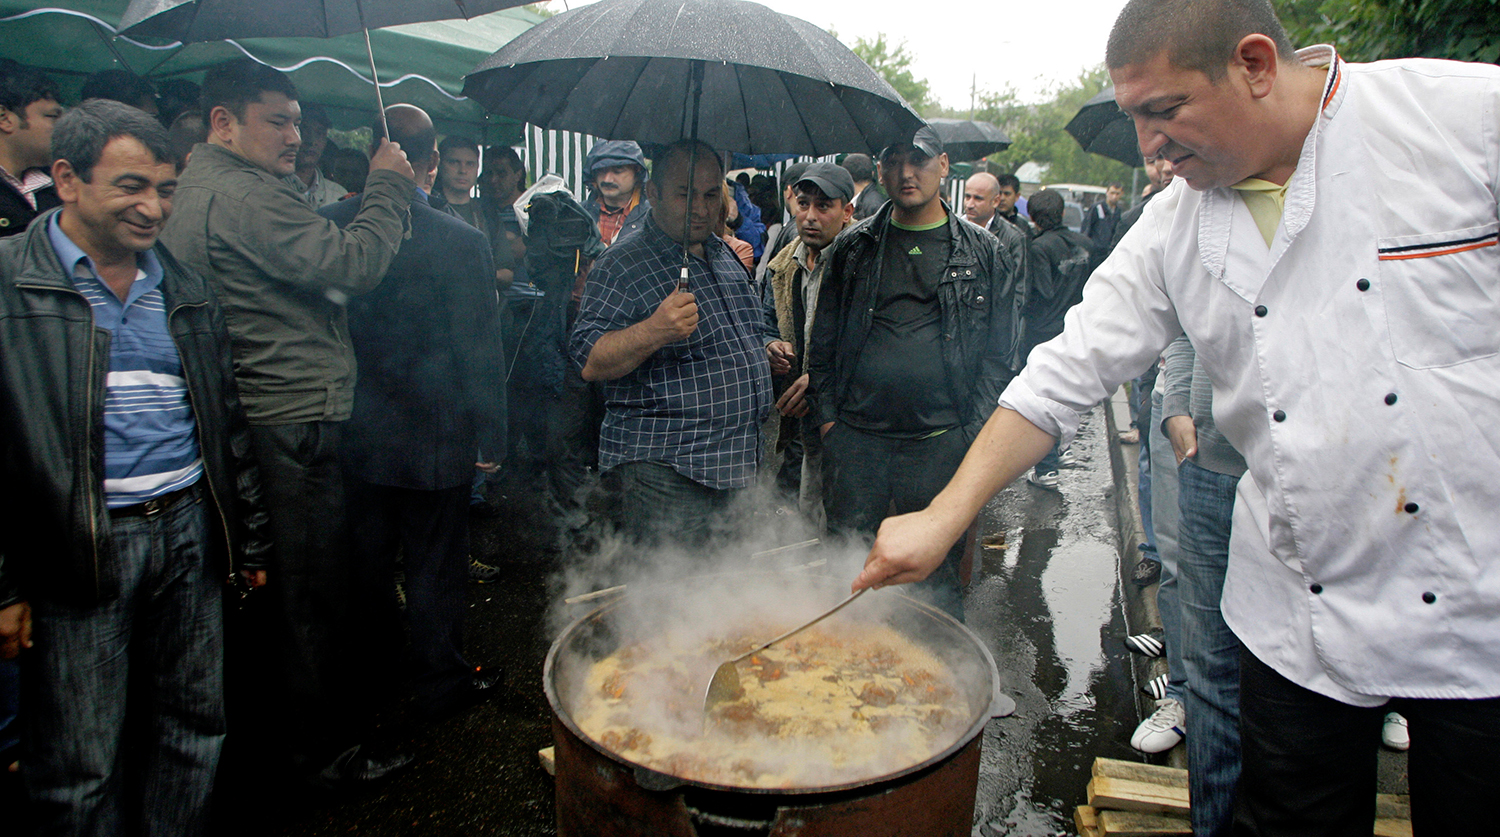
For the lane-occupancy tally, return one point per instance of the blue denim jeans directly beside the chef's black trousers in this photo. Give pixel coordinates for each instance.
(1210, 649)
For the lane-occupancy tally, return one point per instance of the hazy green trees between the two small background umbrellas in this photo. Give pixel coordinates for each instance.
(1039, 133)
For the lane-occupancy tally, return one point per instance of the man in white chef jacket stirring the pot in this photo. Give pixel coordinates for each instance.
(1331, 250)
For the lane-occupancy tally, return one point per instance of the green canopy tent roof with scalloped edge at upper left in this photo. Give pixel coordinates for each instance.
(419, 64)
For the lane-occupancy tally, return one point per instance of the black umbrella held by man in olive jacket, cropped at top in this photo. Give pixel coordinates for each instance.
(218, 20)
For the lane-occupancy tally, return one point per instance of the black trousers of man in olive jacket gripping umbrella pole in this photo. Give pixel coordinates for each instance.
(293, 641)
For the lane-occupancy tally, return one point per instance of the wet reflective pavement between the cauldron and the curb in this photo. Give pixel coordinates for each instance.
(1049, 604)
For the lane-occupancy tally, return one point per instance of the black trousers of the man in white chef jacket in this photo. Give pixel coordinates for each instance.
(1310, 761)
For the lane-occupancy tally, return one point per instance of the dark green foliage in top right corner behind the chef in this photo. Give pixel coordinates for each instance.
(1367, 31)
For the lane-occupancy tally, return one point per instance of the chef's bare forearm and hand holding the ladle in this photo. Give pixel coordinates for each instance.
(911, 547)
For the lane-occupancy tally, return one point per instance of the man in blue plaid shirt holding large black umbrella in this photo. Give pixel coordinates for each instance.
(688, 382)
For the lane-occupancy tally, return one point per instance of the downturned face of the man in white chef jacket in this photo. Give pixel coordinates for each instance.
(1202, 128)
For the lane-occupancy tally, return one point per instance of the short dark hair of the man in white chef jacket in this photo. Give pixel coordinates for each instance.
(1198, 35)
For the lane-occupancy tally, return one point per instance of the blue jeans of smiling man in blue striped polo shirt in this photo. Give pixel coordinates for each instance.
(124, 703)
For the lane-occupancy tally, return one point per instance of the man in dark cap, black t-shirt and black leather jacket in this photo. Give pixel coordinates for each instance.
(916, 335)
